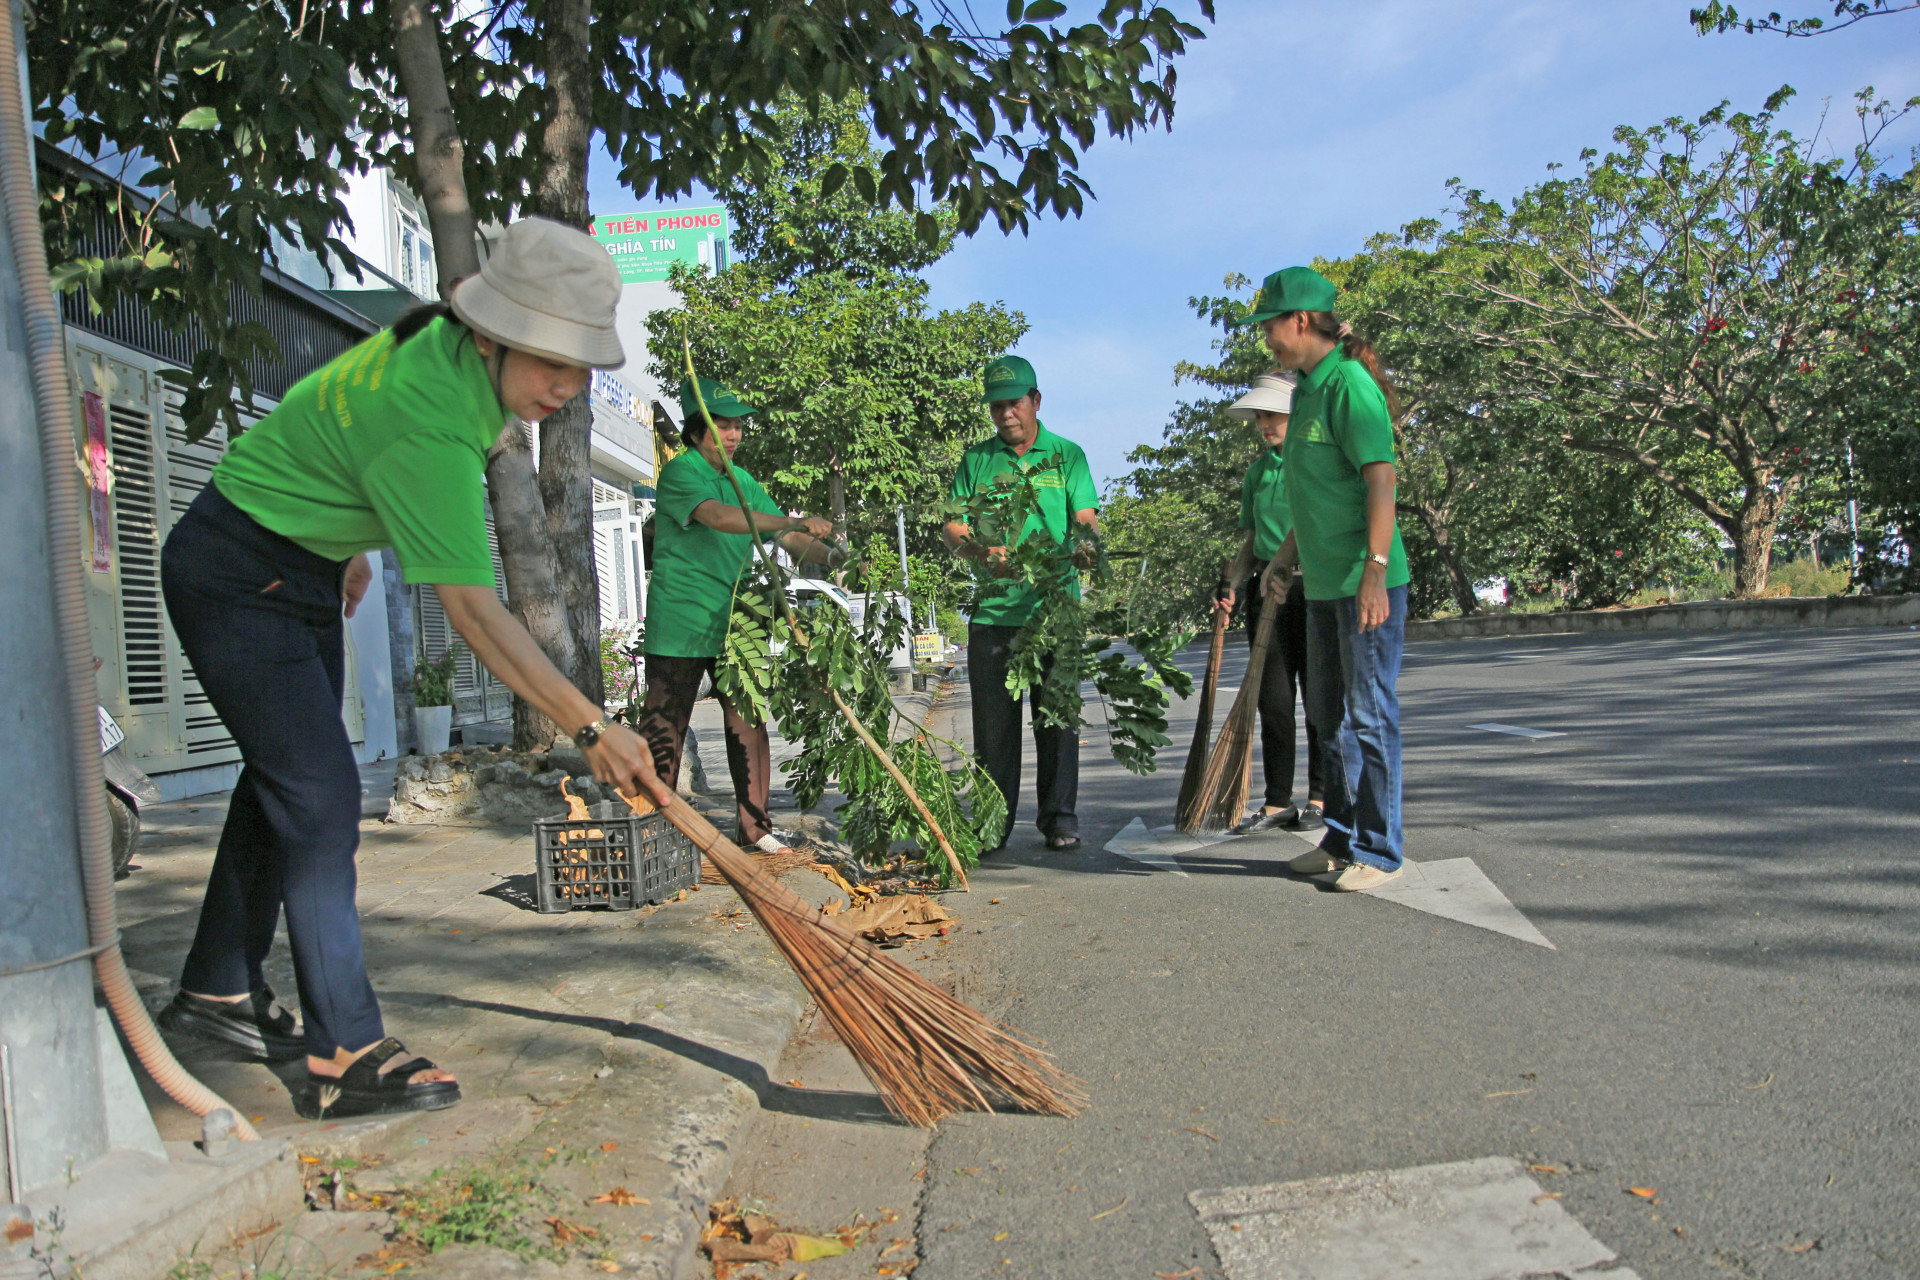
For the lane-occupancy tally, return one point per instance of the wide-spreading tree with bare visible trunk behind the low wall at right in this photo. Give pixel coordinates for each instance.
(1681, 304)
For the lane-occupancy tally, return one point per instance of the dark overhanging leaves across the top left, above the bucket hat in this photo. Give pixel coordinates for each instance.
(251, 116)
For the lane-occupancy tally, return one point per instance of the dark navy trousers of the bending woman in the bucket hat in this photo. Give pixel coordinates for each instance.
(260, 621)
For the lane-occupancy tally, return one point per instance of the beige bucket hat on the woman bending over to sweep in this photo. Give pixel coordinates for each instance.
(550, 291)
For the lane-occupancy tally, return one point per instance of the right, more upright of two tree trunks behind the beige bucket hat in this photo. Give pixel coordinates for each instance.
(565, 439)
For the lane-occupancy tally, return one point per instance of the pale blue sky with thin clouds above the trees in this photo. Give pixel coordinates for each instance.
(1307, 128)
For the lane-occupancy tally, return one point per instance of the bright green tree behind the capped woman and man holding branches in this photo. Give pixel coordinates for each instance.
(865, 398)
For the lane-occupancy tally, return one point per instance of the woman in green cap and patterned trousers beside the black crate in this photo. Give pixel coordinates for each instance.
(702, 550)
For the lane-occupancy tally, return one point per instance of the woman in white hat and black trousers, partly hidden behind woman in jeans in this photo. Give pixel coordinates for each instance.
(1268, 519)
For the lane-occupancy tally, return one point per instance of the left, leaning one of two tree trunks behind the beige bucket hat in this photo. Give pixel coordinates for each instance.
(519, 517)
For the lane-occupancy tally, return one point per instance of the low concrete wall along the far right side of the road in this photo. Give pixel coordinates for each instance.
(1796, 611)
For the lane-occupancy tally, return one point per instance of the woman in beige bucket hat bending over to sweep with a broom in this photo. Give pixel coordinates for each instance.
(383, 448)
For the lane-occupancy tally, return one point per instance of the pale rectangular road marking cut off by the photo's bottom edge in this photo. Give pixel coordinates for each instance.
(1479, 1220)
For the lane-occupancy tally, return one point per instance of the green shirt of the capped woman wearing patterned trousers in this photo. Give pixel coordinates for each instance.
(690, 596)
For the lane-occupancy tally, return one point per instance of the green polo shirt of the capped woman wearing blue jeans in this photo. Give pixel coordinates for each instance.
(1337, 427)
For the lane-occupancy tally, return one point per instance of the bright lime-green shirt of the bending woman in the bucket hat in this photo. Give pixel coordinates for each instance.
(381, 448)
